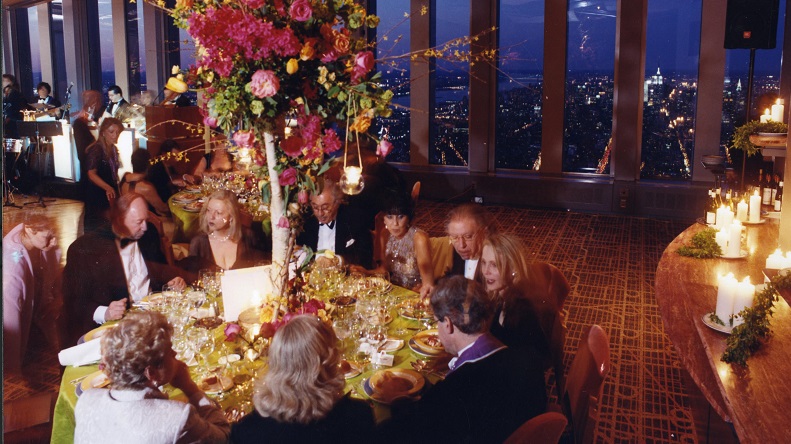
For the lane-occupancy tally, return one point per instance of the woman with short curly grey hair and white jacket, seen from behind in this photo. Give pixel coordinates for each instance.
(137, 358)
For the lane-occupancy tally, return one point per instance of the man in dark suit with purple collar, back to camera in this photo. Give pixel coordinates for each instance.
(490, 389)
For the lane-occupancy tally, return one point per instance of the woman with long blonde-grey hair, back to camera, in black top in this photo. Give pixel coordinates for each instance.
(300, 399)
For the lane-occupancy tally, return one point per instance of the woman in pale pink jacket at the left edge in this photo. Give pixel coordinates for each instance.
(31, 262)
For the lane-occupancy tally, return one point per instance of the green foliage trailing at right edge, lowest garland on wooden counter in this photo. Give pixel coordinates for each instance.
(748, 338)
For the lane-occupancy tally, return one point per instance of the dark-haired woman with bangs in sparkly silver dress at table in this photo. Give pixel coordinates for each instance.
(406, 248)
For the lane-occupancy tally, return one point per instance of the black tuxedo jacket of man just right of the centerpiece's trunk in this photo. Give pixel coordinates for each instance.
(350, 226)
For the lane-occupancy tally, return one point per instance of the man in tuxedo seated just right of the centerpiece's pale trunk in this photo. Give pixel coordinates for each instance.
(337, 227)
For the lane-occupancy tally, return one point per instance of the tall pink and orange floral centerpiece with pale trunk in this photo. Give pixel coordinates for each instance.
(264, 63)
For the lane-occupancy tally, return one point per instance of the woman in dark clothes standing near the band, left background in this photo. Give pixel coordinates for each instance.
(102, 163)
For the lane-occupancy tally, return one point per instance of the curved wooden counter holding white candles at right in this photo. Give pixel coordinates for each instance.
(754, 398)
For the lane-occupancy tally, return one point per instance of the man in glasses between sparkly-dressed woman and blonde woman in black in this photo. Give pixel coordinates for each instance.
(467, 227)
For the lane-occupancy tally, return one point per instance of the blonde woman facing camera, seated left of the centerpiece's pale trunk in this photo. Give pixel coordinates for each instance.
(224, 243)
